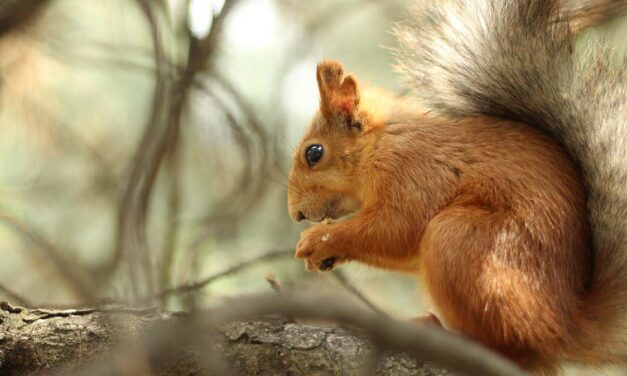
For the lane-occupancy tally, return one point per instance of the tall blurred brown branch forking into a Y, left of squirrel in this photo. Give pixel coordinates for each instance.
(157, 142)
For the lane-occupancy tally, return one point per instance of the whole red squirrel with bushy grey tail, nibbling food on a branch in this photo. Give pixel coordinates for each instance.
(502, 183)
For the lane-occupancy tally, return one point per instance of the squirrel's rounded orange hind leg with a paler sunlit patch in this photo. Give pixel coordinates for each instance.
(487, 279)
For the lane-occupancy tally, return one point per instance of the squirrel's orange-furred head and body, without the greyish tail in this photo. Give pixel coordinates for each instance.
(490, 213)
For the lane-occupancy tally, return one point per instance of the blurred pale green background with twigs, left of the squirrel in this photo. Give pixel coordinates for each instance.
(145, 145)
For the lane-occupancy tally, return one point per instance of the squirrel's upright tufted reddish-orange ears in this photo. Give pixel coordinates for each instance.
(339, 95)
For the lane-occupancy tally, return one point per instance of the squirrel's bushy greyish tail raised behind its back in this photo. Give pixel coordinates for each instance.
(518, 59)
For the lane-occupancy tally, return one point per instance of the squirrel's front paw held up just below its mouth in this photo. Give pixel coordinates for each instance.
(316, 249)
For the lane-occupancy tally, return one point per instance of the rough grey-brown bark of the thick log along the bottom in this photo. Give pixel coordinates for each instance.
(38, 341)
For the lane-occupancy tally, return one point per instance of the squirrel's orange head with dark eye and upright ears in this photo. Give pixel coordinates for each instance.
(324, 174)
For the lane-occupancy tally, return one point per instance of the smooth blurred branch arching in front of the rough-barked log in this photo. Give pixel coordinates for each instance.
(448, 349)
